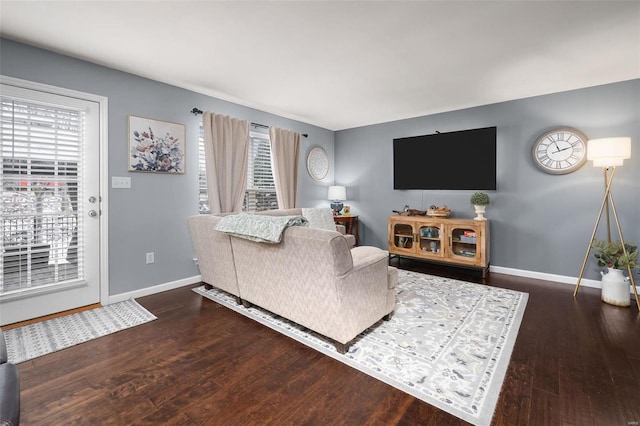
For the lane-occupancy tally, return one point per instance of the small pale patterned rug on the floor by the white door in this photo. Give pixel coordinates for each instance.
(34, 340)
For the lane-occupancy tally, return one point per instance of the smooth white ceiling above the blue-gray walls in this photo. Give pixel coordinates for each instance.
(341, 64)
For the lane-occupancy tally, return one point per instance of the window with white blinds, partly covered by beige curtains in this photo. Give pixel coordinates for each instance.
(260, 193)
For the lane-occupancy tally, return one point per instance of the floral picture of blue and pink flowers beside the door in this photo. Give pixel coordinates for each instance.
(156, 146)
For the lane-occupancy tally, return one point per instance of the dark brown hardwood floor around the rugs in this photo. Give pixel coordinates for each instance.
(575, 362)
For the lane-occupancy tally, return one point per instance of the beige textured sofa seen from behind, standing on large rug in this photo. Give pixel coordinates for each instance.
(312, 277)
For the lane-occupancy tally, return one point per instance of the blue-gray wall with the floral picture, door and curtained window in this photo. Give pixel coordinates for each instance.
(151, 217)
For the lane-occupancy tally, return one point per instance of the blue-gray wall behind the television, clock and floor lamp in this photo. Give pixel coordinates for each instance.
(539, 222)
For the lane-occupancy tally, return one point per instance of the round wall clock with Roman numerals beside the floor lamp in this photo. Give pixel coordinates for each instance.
(560, 151)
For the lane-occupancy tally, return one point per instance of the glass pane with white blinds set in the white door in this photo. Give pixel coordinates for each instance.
(40, 154)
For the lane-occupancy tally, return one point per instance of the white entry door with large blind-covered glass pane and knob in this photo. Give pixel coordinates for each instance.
(50, 203)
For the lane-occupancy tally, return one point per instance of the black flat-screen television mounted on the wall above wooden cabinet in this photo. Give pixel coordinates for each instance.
(455, 160)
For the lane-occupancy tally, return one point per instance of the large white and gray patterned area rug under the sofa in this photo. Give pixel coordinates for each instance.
(448, 343)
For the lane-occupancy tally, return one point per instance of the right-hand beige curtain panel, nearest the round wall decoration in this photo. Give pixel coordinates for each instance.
(285, 147)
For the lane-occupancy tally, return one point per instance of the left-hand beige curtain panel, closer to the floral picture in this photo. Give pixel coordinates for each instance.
(226, 144)
